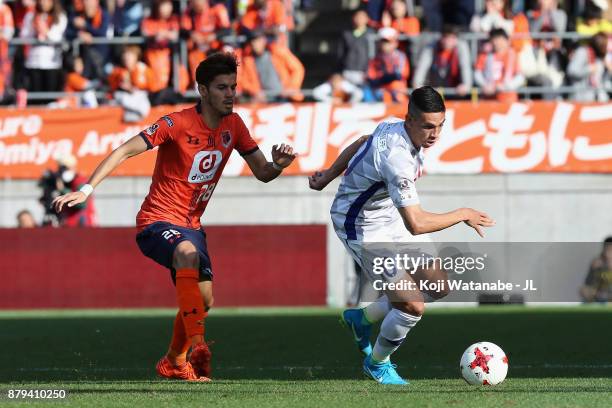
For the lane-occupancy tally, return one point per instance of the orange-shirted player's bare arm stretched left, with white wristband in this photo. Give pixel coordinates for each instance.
(132, 147)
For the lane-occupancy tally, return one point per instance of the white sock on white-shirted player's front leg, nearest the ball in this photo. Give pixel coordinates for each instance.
(393, 331)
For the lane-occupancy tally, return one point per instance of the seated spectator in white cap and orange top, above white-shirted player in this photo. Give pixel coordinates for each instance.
(388, 71)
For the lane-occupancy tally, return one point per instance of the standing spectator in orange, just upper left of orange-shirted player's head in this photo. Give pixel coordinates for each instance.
(161, 29)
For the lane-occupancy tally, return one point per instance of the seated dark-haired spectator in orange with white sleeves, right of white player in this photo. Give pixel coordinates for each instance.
(497, 72)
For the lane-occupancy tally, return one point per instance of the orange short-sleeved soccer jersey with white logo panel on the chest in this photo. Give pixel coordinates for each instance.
(190, 160)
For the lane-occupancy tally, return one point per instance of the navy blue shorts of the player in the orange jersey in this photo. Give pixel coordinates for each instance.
(159, 240)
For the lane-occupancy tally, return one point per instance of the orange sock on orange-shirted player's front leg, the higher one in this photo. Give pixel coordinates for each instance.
(191, 305)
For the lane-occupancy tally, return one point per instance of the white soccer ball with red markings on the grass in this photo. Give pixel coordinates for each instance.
(484, 363)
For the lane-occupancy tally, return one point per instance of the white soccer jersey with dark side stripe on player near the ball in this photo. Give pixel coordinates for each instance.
(379, 179)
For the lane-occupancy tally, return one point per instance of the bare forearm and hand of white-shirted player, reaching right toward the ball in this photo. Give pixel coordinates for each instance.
(419, 221)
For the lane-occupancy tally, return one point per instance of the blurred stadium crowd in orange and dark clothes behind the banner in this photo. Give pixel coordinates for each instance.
(125, 48)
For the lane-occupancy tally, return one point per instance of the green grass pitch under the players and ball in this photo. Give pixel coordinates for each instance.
(559, 357)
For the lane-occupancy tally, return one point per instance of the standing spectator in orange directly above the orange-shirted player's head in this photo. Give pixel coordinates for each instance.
(204, 25)
